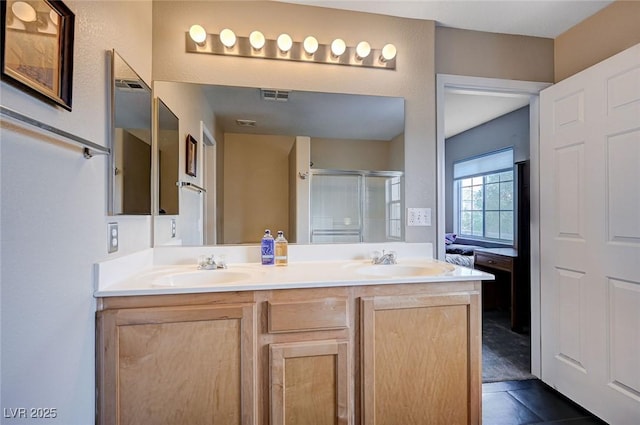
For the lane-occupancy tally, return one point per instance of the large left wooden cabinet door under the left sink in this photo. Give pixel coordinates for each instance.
(177, 365)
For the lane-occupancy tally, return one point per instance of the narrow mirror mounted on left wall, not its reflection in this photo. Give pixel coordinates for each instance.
(130, 168)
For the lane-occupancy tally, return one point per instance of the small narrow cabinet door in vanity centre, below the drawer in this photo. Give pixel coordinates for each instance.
(310, 383)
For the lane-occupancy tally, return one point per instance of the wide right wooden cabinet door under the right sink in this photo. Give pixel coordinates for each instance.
(421, 359)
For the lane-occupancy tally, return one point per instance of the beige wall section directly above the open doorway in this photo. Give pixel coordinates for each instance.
(483, 54)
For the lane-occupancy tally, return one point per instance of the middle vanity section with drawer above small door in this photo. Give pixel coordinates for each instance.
(309, 344)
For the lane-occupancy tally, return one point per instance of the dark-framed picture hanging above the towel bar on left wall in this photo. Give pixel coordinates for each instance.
(37, 48)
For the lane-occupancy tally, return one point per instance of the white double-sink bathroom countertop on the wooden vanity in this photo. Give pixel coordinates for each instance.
(183, 279)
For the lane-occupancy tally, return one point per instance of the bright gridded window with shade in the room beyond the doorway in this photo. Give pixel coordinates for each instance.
(483, 197)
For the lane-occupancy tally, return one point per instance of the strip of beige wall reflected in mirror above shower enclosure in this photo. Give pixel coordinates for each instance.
(338, 154)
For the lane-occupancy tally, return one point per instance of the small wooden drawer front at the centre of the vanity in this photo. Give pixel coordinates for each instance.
(299, 316)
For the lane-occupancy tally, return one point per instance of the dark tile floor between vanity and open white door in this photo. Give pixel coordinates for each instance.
(530, 402)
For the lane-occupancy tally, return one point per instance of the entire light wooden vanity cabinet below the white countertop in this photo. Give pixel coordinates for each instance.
(361, 355)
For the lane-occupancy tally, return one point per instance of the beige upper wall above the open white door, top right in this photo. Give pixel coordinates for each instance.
(610, 31)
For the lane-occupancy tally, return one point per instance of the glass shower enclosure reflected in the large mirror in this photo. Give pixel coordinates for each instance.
(356, 206)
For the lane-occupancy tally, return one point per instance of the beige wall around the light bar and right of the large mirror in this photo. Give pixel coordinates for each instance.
(413, 78)
